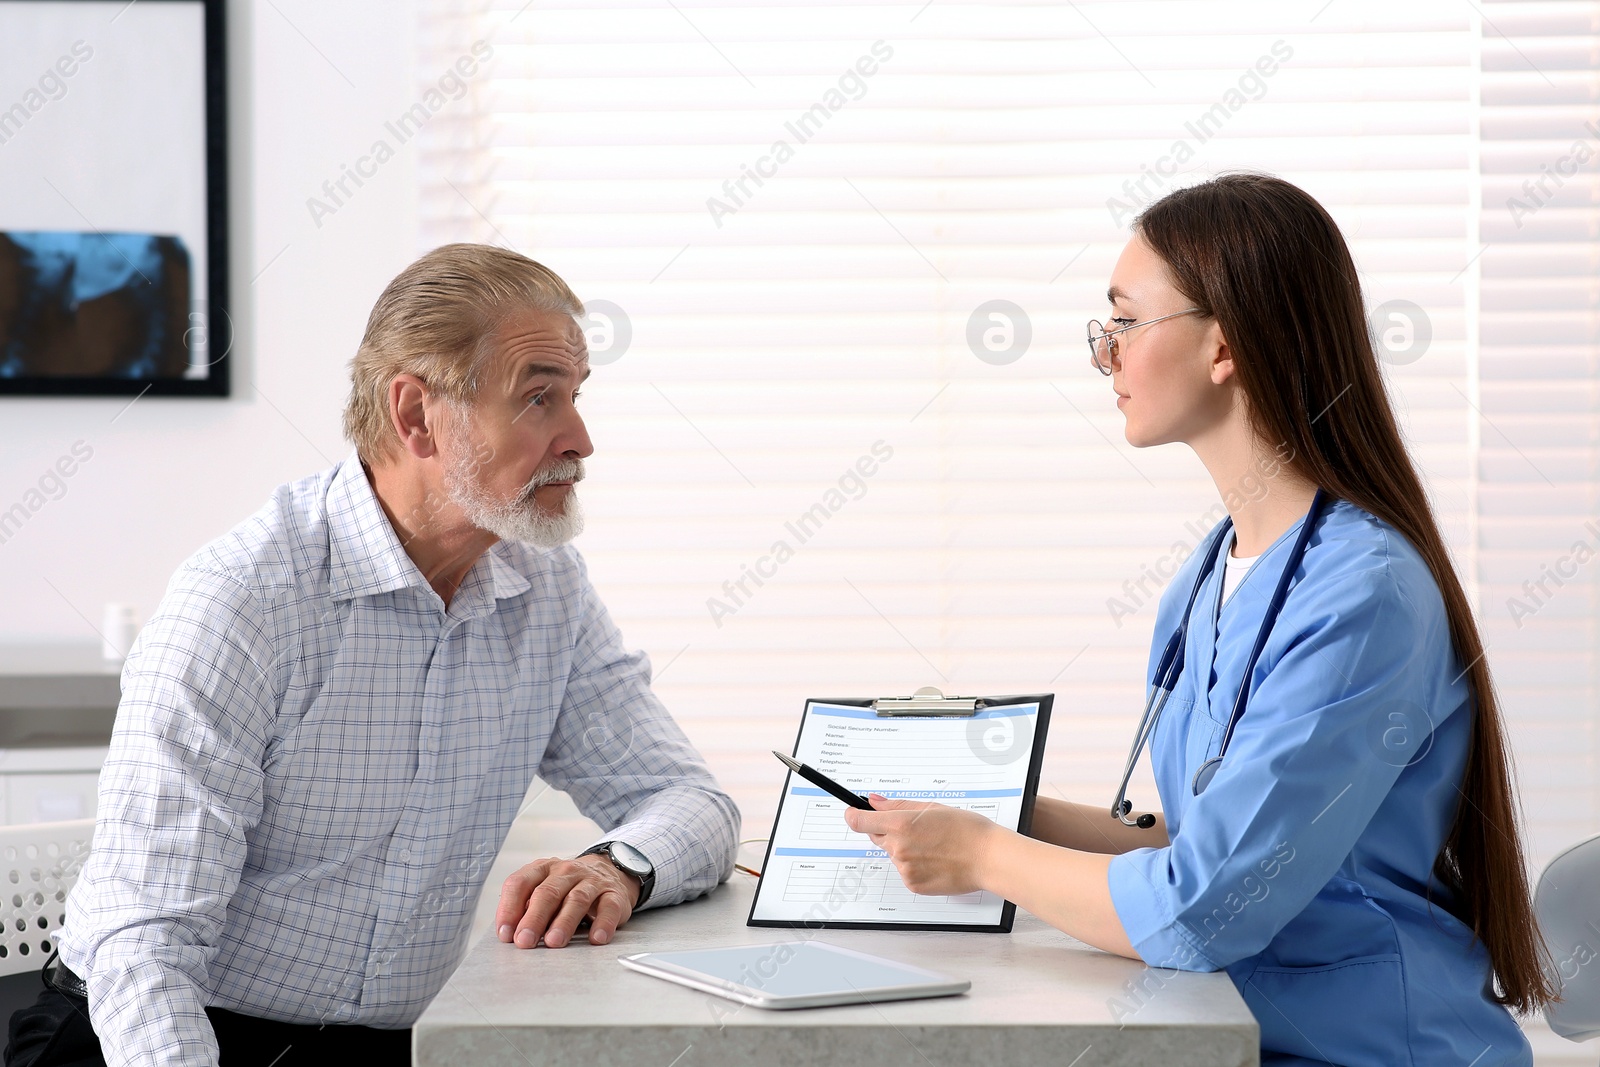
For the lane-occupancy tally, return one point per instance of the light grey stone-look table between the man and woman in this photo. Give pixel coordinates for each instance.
(1039, 997)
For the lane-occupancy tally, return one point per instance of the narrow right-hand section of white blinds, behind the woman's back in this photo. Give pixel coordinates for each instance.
(1540, 410)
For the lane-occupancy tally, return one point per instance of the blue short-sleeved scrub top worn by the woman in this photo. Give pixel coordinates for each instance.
(1306, 866)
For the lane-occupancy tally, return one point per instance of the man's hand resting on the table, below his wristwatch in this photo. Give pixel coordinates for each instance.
(551, 897)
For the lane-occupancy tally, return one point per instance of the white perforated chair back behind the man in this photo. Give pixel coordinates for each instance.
(39, 863)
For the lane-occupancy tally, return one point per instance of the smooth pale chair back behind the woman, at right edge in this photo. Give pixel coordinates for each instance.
(1567, 905)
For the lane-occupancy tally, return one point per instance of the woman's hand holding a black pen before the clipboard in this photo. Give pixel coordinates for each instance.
(938, 850)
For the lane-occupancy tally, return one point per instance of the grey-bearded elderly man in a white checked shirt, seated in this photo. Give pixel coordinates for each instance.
(327, 729)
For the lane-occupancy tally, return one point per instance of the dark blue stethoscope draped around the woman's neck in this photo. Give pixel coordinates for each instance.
(1172, 665)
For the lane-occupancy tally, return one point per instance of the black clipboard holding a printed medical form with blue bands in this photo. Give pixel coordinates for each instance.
(983, 754)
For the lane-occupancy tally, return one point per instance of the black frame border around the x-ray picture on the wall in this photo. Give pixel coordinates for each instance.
(217, 318)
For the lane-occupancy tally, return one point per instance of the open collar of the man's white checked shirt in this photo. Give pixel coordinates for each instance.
(367, 557)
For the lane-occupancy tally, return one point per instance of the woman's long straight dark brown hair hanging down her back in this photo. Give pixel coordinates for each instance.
(1268, 263)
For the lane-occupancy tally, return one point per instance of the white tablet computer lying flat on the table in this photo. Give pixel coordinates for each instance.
(796, 975)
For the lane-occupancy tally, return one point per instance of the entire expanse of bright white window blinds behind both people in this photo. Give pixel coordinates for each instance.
(847, 436)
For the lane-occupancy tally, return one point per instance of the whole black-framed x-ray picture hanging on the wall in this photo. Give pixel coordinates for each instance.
(113, 199)
